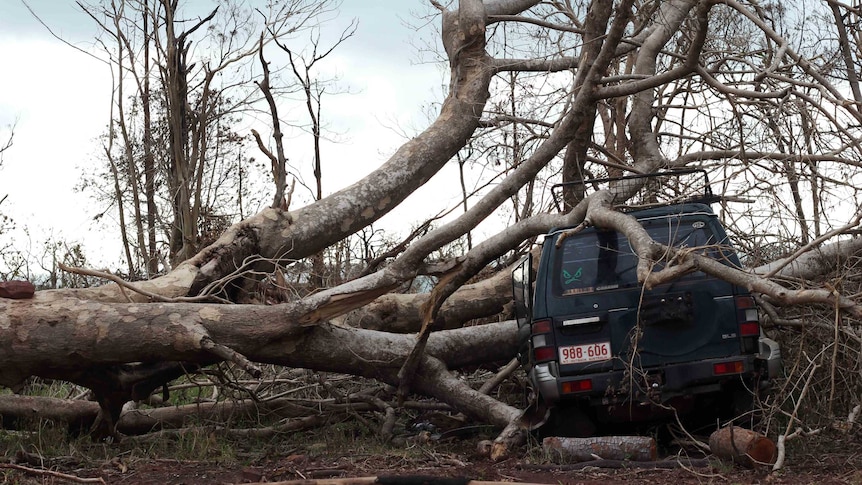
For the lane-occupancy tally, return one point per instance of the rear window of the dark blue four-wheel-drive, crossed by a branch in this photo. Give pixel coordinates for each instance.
(604, 260)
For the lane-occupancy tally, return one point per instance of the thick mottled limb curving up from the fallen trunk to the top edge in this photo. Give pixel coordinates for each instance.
(276, 234)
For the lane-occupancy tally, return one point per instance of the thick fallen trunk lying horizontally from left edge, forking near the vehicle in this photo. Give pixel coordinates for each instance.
(90, 343)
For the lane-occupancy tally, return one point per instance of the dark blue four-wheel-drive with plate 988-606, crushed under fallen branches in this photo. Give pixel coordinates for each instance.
(600, 349)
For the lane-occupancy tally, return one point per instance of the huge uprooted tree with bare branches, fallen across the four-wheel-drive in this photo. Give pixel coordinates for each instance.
(605, 88)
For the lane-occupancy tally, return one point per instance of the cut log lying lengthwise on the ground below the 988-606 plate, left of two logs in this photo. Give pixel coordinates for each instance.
(569, 450)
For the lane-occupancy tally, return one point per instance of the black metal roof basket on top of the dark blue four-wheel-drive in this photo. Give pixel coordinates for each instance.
(705, 197)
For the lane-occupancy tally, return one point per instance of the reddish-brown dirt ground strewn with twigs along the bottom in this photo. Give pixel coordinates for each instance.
(316, 460)
